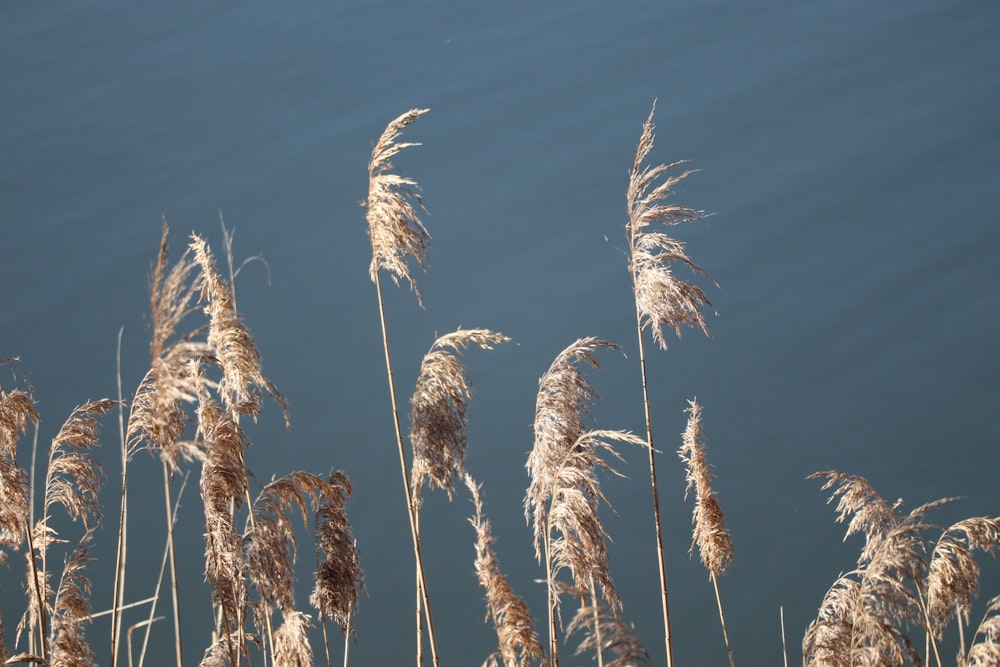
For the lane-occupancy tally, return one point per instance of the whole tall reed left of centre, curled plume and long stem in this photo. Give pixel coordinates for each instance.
(396, 235)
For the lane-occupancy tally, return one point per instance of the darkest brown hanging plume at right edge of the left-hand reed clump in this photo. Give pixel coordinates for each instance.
(339, 577)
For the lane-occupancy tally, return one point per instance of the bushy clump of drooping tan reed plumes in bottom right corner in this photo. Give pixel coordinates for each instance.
(863, 617)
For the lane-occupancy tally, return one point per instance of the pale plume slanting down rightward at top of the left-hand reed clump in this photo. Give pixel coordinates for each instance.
(232, 344)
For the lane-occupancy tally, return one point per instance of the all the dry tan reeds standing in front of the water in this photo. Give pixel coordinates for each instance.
(205, 382)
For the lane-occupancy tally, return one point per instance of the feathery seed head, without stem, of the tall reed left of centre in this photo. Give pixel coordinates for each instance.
(394, 227)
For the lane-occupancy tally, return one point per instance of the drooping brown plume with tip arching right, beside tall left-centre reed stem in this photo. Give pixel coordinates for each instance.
(438, 413)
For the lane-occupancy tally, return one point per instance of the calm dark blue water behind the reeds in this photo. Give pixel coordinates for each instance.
(846, 151)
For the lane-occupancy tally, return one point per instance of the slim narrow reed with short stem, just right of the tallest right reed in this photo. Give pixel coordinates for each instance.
(715, 546)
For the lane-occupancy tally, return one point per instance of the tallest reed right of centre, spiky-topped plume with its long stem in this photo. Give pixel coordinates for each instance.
(661, 299)
